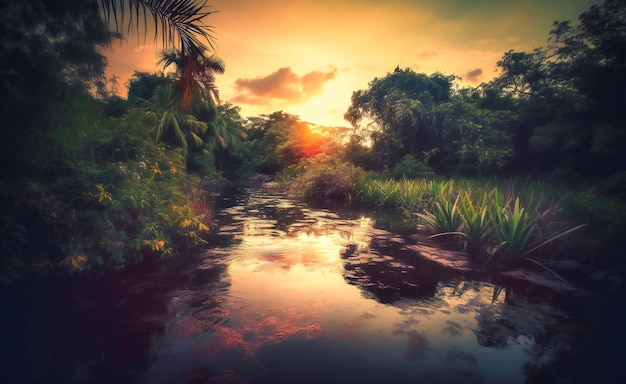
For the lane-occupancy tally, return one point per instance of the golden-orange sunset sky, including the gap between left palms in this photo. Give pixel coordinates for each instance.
(307, 57)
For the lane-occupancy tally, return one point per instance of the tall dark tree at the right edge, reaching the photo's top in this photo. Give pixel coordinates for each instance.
(571, 94)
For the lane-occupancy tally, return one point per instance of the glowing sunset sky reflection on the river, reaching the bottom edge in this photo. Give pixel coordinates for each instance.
(316, 297)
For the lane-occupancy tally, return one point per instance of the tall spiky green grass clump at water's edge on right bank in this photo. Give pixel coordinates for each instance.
(503, 222)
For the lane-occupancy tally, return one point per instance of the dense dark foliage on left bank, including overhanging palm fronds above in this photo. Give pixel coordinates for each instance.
(88, 184)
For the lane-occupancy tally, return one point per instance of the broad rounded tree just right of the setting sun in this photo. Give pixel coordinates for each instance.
(423, 116)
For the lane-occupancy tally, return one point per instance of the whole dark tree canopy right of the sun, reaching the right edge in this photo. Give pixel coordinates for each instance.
(558, 109)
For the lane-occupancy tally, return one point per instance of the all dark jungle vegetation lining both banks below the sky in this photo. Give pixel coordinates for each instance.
(92, 180)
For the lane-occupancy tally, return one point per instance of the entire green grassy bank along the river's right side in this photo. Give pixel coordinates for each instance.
(498, 221)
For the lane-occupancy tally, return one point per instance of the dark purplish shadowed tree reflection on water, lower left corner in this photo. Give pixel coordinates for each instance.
(102, 331)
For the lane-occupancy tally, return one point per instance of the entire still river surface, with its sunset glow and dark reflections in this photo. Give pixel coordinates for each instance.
(290, 293)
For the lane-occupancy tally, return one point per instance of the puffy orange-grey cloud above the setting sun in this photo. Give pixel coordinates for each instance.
(282, 85)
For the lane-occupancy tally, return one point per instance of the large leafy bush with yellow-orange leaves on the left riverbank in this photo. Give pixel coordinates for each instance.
(106, 205)
